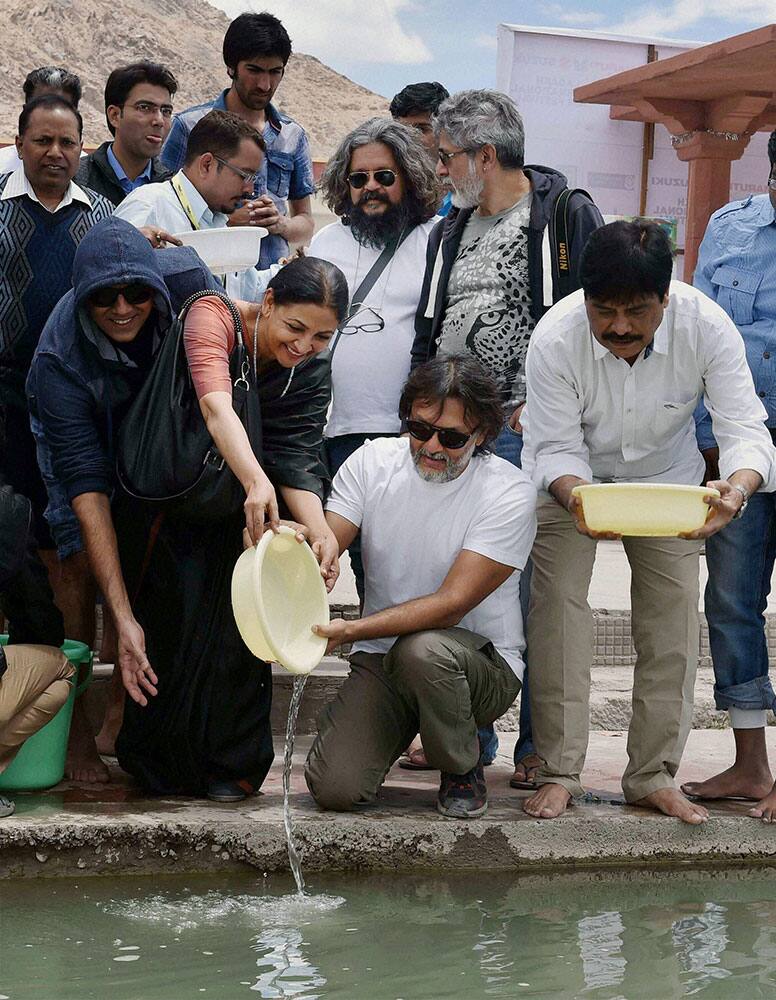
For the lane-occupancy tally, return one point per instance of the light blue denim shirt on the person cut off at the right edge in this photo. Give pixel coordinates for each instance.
(737, 269)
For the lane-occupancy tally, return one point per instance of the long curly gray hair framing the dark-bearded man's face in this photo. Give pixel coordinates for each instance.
(422, 190)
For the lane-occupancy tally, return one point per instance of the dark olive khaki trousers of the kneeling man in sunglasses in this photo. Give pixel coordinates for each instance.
(442, 683)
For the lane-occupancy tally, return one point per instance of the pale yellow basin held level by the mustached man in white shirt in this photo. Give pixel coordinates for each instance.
(644, 509)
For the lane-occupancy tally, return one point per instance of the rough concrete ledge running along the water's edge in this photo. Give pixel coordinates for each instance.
(388, 837)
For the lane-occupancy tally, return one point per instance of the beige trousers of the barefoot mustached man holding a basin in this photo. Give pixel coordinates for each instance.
(665, 627)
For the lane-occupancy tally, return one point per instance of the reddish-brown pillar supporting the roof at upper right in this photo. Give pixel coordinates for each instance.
(708, 189)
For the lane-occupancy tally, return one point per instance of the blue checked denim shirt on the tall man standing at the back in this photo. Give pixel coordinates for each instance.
(286, 171)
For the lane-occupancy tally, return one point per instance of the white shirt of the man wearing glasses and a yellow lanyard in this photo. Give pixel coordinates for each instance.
(158, 205)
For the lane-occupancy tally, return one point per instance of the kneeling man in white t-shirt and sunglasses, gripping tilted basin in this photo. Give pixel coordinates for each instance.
(446, 529)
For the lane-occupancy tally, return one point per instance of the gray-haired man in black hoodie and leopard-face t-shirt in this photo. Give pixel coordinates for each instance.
(494, 267)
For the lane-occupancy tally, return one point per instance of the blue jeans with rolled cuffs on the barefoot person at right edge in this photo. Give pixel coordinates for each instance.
(740, 559)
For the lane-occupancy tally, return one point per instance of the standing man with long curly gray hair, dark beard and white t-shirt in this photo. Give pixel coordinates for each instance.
(381, 185)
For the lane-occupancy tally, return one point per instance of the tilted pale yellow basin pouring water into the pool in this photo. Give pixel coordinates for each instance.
(277, 596)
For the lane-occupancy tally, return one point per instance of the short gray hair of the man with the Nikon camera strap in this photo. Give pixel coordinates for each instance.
(475, 118)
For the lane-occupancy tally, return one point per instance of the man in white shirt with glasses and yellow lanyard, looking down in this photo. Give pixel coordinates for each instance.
(223, 156)
